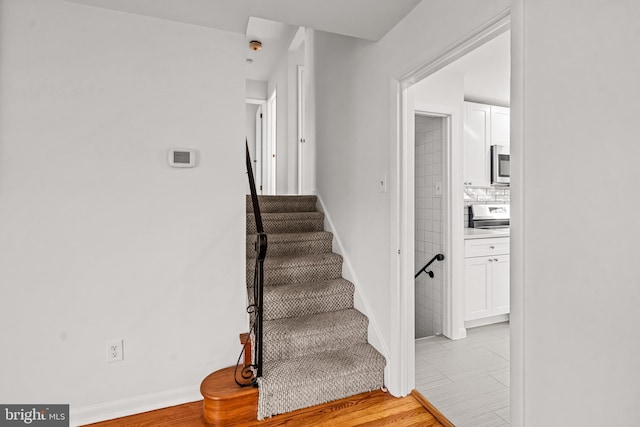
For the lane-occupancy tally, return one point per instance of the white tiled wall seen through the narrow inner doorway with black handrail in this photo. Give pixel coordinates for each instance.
(428, 226)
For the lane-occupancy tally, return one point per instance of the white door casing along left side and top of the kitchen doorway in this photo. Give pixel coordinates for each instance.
(400, 297)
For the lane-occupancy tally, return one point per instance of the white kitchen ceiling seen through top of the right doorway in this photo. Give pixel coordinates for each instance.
(487, 72)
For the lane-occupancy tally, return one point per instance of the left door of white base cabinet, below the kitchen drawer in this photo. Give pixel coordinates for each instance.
(477, 279)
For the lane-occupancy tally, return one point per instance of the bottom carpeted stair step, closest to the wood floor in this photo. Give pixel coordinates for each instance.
(319, 378)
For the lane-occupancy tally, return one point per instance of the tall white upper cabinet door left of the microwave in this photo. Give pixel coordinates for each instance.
(477, 138)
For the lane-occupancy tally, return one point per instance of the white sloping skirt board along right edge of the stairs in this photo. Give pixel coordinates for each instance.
(360, 301)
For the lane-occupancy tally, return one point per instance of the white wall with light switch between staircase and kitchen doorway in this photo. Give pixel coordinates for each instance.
(355, 142)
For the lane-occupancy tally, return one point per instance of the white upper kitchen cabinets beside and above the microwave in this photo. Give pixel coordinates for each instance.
(484, 126)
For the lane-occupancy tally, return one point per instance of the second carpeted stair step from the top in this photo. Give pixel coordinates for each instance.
(287, 222)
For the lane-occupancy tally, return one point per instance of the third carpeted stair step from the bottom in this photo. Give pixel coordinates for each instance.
(301, 299)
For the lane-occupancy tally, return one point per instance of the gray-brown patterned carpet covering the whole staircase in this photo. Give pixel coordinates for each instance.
(315, 347)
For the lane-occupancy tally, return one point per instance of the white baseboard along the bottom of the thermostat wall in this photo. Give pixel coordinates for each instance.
(121, 408)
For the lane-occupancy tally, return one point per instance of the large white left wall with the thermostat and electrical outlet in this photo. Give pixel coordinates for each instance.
(99, 237)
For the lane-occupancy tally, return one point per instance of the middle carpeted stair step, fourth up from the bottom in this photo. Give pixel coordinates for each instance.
(298, 269)
